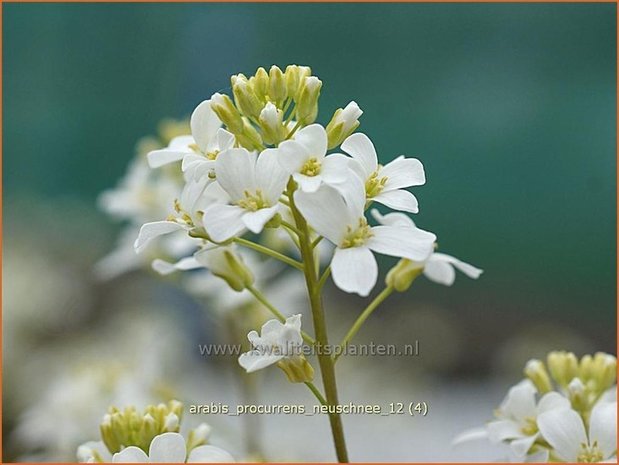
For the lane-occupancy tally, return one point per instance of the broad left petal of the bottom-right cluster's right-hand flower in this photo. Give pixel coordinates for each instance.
(564, 431)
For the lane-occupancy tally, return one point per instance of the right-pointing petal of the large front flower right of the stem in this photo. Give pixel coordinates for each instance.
(412, 243)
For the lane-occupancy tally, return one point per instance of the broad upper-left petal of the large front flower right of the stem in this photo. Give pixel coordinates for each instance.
(326, 211)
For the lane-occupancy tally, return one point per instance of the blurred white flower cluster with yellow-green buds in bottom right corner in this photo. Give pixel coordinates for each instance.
(565, 410)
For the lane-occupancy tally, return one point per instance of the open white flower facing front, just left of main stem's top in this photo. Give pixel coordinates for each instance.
(254, 184)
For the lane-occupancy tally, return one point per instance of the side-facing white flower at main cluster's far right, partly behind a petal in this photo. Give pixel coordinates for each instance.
(438, 267)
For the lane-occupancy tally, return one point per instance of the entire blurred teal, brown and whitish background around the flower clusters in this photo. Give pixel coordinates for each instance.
(510, 107)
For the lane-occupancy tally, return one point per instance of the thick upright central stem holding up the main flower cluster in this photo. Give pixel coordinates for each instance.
(325, 361)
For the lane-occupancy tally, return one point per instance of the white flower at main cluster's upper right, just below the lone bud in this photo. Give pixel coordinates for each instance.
(385, 184)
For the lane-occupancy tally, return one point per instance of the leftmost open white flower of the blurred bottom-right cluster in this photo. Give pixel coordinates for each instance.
(517, 416)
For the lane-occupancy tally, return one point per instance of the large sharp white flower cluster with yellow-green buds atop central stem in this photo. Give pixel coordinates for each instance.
(258, 161)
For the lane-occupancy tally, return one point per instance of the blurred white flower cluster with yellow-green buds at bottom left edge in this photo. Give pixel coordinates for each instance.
(128, 436)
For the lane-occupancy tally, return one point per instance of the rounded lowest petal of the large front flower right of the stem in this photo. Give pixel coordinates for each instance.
(354, 270)
